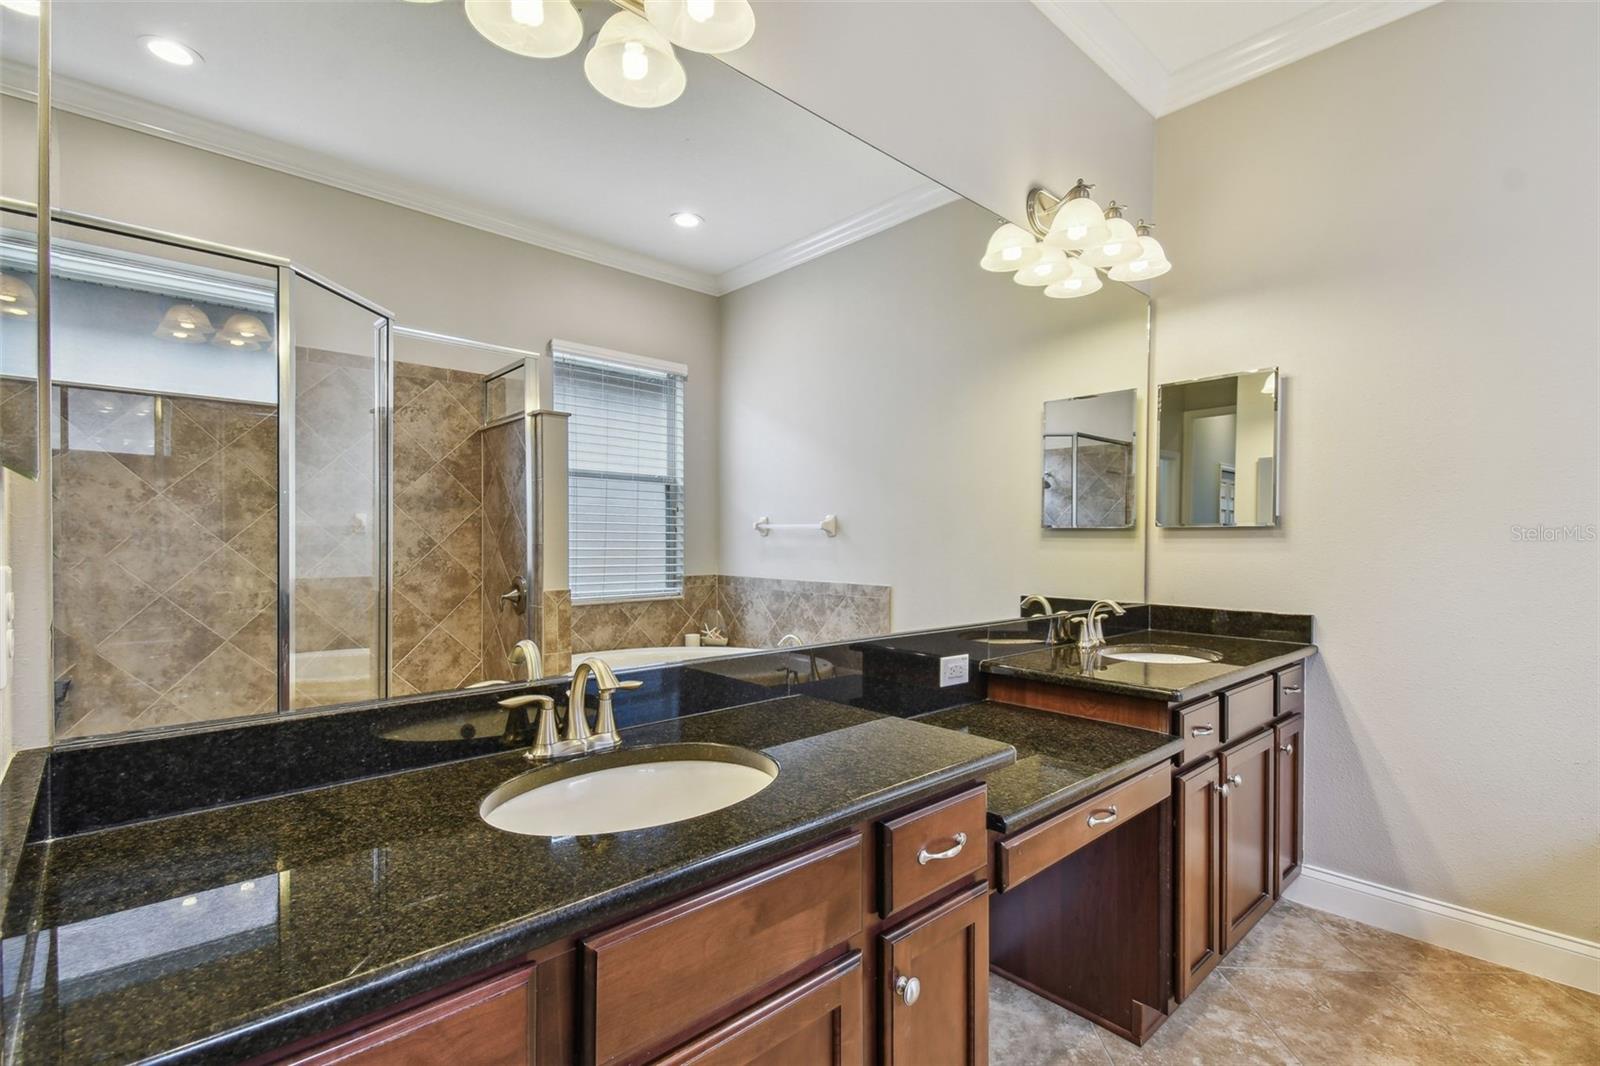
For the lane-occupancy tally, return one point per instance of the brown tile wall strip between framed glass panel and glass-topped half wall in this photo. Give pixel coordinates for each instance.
(438, 531)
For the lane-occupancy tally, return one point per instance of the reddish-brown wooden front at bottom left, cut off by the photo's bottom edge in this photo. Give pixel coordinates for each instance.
(486, 1025)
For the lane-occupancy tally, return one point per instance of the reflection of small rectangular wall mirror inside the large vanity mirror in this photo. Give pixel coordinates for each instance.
(1090, 470)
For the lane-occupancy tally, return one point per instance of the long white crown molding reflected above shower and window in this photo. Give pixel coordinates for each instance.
(212, 137)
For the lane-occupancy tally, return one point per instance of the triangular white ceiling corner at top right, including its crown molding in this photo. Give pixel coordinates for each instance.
(1169, 55)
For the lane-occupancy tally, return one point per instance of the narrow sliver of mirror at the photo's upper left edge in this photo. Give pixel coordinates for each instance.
(20, 289)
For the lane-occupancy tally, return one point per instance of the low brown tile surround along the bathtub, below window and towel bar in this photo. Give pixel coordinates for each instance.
(759, 612)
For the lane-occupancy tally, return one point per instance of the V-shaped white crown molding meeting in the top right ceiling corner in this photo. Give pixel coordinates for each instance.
(1094, 26)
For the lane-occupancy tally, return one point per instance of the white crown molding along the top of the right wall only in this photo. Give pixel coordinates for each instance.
(1303, 36)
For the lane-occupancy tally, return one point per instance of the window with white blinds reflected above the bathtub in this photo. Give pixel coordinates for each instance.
(625, 475)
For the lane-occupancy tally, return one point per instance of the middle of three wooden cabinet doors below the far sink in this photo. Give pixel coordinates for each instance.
(1247, 835)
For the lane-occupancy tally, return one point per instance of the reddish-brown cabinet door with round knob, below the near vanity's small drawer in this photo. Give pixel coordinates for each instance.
(935, 985)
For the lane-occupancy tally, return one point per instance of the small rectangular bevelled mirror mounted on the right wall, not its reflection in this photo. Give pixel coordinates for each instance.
(1218, 463)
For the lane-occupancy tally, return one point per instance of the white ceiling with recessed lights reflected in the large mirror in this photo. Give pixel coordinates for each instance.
(407, 103)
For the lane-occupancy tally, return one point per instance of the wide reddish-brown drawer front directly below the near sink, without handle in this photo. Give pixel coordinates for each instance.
(678, 971)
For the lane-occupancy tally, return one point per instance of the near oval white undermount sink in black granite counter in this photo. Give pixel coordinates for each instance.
(628, 790)
